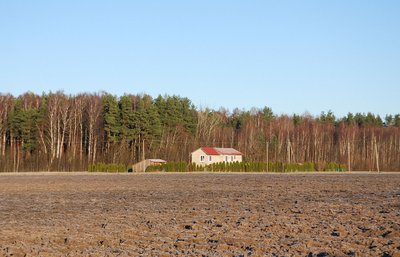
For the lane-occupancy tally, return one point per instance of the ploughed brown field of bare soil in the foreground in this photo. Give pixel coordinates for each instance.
(200, 214)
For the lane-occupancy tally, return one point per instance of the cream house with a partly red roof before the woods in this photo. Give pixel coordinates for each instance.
(208, 155)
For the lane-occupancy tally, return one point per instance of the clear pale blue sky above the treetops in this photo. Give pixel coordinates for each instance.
(293, 56)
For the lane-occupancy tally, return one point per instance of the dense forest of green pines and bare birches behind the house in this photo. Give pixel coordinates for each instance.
(59, 132)
